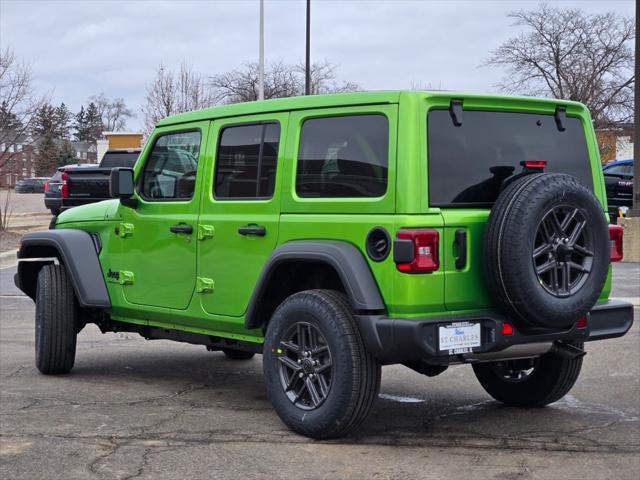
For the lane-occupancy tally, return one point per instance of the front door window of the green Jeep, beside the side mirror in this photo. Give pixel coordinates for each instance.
(170, 171)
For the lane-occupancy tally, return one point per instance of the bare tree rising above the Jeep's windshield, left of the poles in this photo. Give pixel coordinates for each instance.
(175, 92)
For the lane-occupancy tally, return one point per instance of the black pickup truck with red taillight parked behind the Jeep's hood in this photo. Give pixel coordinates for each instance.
(82, 185)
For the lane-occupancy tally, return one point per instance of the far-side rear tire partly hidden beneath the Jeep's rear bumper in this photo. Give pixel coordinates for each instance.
(531, 382)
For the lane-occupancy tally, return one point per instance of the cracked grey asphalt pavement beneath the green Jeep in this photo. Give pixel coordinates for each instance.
(138, 409)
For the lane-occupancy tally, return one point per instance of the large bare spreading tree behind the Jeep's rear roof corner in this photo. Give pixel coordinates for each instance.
(568, 54)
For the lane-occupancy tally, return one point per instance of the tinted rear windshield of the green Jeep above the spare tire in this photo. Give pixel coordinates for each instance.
(469, 164)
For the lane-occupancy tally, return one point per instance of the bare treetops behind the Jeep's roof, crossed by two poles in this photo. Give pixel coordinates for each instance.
(281, 80)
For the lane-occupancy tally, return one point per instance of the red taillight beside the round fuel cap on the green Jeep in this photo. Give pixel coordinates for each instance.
(416, 250)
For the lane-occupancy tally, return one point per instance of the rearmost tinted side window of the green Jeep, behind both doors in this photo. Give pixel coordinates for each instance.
(343, 157)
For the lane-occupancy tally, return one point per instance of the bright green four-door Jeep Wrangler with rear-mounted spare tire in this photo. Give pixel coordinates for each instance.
(335, 234)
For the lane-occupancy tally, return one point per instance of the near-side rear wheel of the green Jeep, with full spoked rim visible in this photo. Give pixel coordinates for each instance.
(319, 376)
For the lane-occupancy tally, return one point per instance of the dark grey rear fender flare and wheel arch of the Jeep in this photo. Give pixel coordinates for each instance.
(326, 264)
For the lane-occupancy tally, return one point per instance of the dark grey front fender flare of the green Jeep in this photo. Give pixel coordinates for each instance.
(77, 251)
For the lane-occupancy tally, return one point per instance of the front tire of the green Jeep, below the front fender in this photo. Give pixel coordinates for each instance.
(56, 321)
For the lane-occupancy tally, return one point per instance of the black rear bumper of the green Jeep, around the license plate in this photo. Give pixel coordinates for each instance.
(398, 340)
